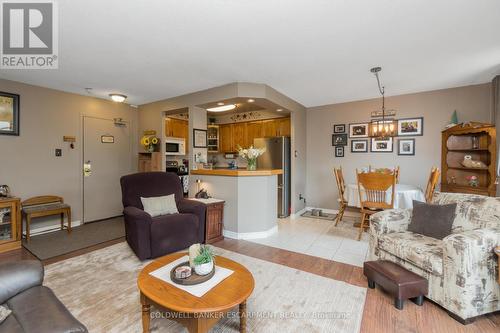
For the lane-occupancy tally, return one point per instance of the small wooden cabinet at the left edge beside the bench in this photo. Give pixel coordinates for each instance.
(10, 224)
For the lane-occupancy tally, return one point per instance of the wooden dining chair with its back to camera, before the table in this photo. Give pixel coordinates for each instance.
(373, 190)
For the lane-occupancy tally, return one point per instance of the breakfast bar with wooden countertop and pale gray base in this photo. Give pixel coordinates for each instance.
(251, 199)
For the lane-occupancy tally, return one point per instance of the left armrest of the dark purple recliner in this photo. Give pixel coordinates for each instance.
(138, 231)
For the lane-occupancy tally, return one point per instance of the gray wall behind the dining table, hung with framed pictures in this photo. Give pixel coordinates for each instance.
(472, 104)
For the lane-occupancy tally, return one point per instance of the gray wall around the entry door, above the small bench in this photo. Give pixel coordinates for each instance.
(27, 162)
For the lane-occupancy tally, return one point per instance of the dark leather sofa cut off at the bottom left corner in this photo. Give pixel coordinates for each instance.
(34, 307)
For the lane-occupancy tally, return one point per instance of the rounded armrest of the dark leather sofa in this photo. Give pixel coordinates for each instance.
(16, 277)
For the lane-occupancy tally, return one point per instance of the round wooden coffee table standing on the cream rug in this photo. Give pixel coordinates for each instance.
(197, 314)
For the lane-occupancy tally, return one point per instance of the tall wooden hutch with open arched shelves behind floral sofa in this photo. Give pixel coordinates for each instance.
(478, 141)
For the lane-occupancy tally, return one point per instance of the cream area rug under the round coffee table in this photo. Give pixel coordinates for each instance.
(100, 290)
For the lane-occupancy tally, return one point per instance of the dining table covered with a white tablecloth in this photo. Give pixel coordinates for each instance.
(403, 198)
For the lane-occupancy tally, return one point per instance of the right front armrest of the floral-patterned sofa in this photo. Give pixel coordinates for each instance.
(469, 269)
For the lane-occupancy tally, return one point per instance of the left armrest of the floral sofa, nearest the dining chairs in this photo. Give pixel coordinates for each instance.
(386, 222)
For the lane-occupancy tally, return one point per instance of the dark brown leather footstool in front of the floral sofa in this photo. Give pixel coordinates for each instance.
(397, 281)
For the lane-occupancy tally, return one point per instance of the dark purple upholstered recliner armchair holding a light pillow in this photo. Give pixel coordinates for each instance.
(151, 237)
